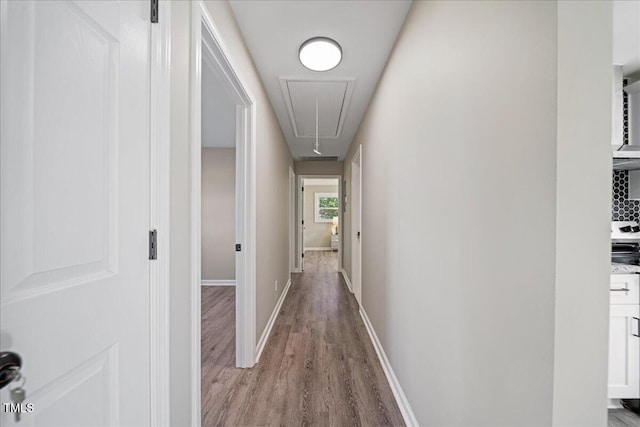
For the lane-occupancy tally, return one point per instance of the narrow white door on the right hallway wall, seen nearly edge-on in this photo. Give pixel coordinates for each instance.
(356, 224)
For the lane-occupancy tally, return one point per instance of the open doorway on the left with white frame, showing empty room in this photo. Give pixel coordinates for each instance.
(223, 211)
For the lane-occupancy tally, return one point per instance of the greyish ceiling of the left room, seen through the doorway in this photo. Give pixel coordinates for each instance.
(218, 112)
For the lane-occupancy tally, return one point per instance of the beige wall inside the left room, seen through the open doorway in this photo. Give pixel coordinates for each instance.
(218, 213)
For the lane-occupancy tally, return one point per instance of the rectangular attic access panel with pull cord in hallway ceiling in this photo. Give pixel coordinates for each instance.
(333, 101)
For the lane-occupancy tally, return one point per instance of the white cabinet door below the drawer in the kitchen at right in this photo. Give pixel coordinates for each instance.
(624, 352)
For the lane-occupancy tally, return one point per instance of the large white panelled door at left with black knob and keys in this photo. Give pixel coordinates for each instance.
(74, 193)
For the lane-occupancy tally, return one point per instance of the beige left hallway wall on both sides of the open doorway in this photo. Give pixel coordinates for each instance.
(273, 160)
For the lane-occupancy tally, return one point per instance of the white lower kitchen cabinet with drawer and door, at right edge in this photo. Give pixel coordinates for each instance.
(624, 343)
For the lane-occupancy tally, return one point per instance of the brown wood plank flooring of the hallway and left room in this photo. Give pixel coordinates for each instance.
(318, 367)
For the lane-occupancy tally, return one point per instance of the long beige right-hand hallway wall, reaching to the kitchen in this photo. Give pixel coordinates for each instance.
(459, 213)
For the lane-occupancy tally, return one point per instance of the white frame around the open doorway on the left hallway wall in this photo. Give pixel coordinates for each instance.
(245, 196)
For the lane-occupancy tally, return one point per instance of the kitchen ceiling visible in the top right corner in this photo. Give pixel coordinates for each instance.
(626, 35)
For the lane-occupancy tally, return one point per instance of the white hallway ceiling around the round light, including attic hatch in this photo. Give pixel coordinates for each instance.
(274, 31)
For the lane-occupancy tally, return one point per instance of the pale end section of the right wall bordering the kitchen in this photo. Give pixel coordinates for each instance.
(583, 214)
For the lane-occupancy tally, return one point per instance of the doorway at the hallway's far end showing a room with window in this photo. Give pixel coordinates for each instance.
(320, 221)
